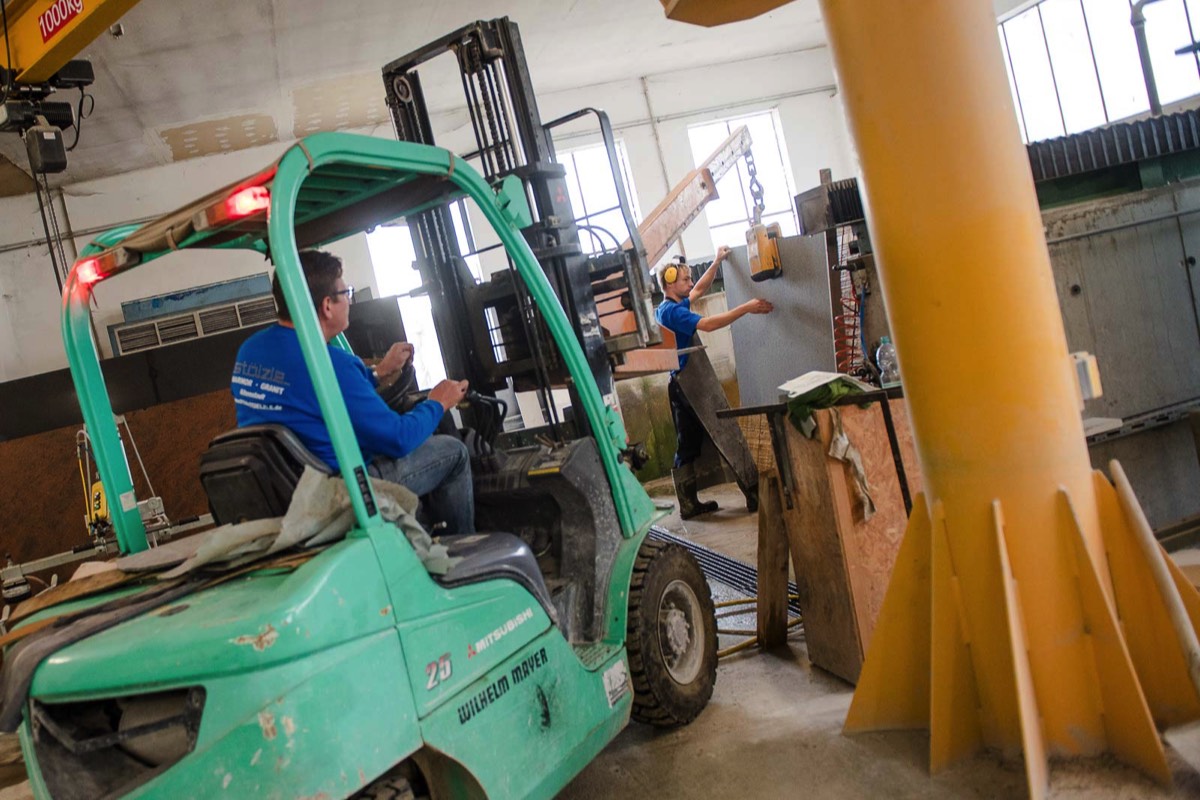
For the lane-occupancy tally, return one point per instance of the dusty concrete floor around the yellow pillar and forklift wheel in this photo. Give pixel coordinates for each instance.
(773, 730)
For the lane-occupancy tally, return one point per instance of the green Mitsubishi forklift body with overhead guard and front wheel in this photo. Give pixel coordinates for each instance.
(350, 670)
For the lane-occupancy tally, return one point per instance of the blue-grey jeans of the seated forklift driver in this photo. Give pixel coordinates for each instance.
(440, 473)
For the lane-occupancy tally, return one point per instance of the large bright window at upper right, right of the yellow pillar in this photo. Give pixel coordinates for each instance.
(1073, 65)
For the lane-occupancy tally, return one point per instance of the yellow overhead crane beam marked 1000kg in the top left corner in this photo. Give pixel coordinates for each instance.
(44, 35)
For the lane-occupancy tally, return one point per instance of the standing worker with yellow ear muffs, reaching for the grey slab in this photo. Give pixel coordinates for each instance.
(676, 315)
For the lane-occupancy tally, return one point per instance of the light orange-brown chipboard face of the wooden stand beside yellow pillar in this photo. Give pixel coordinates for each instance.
(871, 546)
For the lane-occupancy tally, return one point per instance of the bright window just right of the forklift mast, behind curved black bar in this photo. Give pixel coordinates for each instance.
(593, 194)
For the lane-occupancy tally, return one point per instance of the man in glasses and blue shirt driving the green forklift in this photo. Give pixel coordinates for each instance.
(272, 386)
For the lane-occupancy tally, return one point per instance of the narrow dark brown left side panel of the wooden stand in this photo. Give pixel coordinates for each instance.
(831, 628)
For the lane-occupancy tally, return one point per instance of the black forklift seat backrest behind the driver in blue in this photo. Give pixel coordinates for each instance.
(251, 473)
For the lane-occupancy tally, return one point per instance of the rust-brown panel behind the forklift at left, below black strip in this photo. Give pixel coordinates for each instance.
(41, 491)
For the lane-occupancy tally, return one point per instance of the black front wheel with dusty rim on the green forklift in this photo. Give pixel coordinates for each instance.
(671, 636)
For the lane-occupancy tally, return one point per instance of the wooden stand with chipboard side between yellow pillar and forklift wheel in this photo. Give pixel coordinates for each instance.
(809, 513)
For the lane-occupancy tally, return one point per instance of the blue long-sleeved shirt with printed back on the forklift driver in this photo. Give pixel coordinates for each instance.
(271, 386)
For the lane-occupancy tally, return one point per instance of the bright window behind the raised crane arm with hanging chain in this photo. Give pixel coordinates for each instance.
(730, 215)
